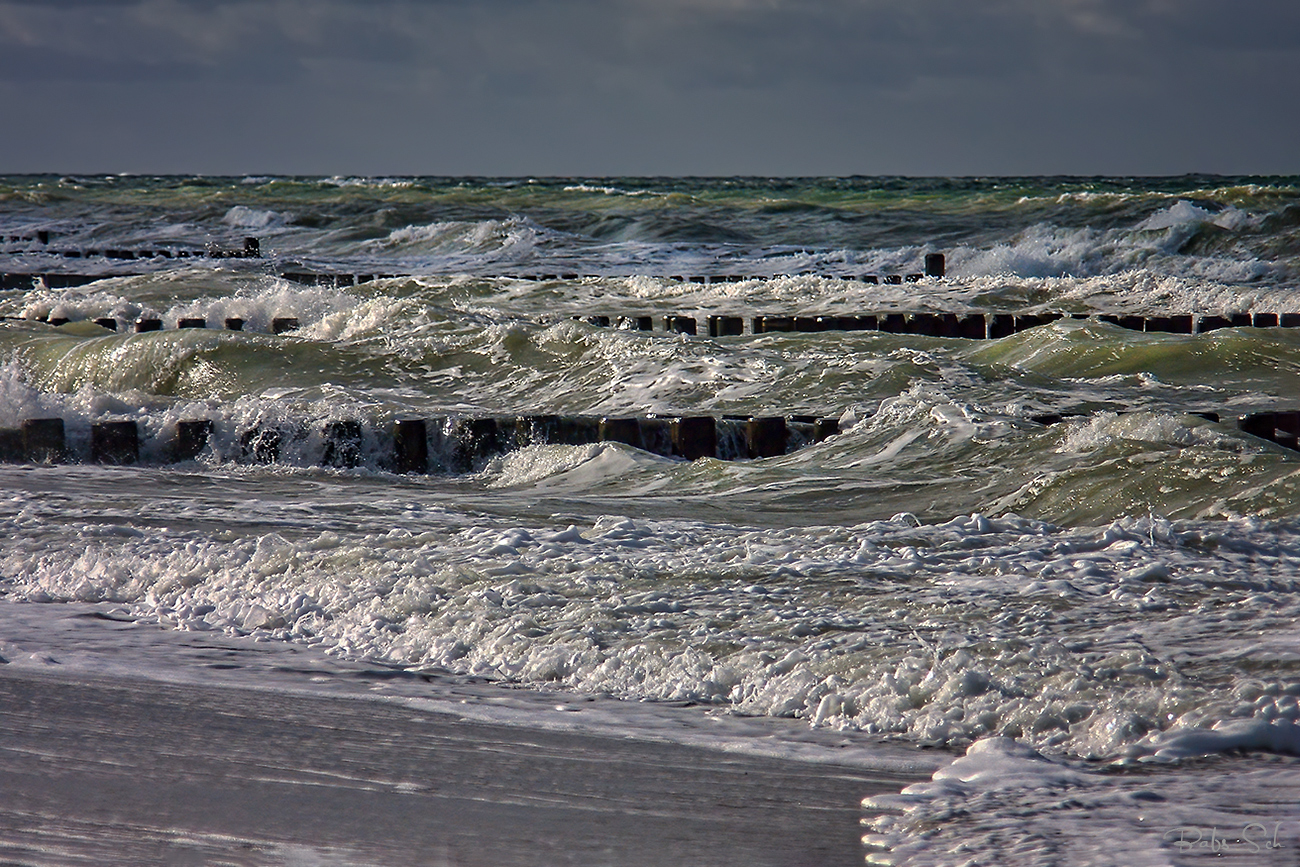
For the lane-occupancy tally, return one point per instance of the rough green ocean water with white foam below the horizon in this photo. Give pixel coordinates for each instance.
(1099, 621)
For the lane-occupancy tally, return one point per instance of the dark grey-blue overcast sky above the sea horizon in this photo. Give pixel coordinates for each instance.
(604, 88)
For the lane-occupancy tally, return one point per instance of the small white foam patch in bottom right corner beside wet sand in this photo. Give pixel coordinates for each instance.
(1004, 804)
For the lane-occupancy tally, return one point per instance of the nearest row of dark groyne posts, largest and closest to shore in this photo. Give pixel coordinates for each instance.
(461, 444)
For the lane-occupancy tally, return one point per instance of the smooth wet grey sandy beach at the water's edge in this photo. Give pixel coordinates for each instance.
(119, 769)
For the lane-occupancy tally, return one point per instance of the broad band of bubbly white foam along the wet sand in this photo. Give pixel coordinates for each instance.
(773, 622)
